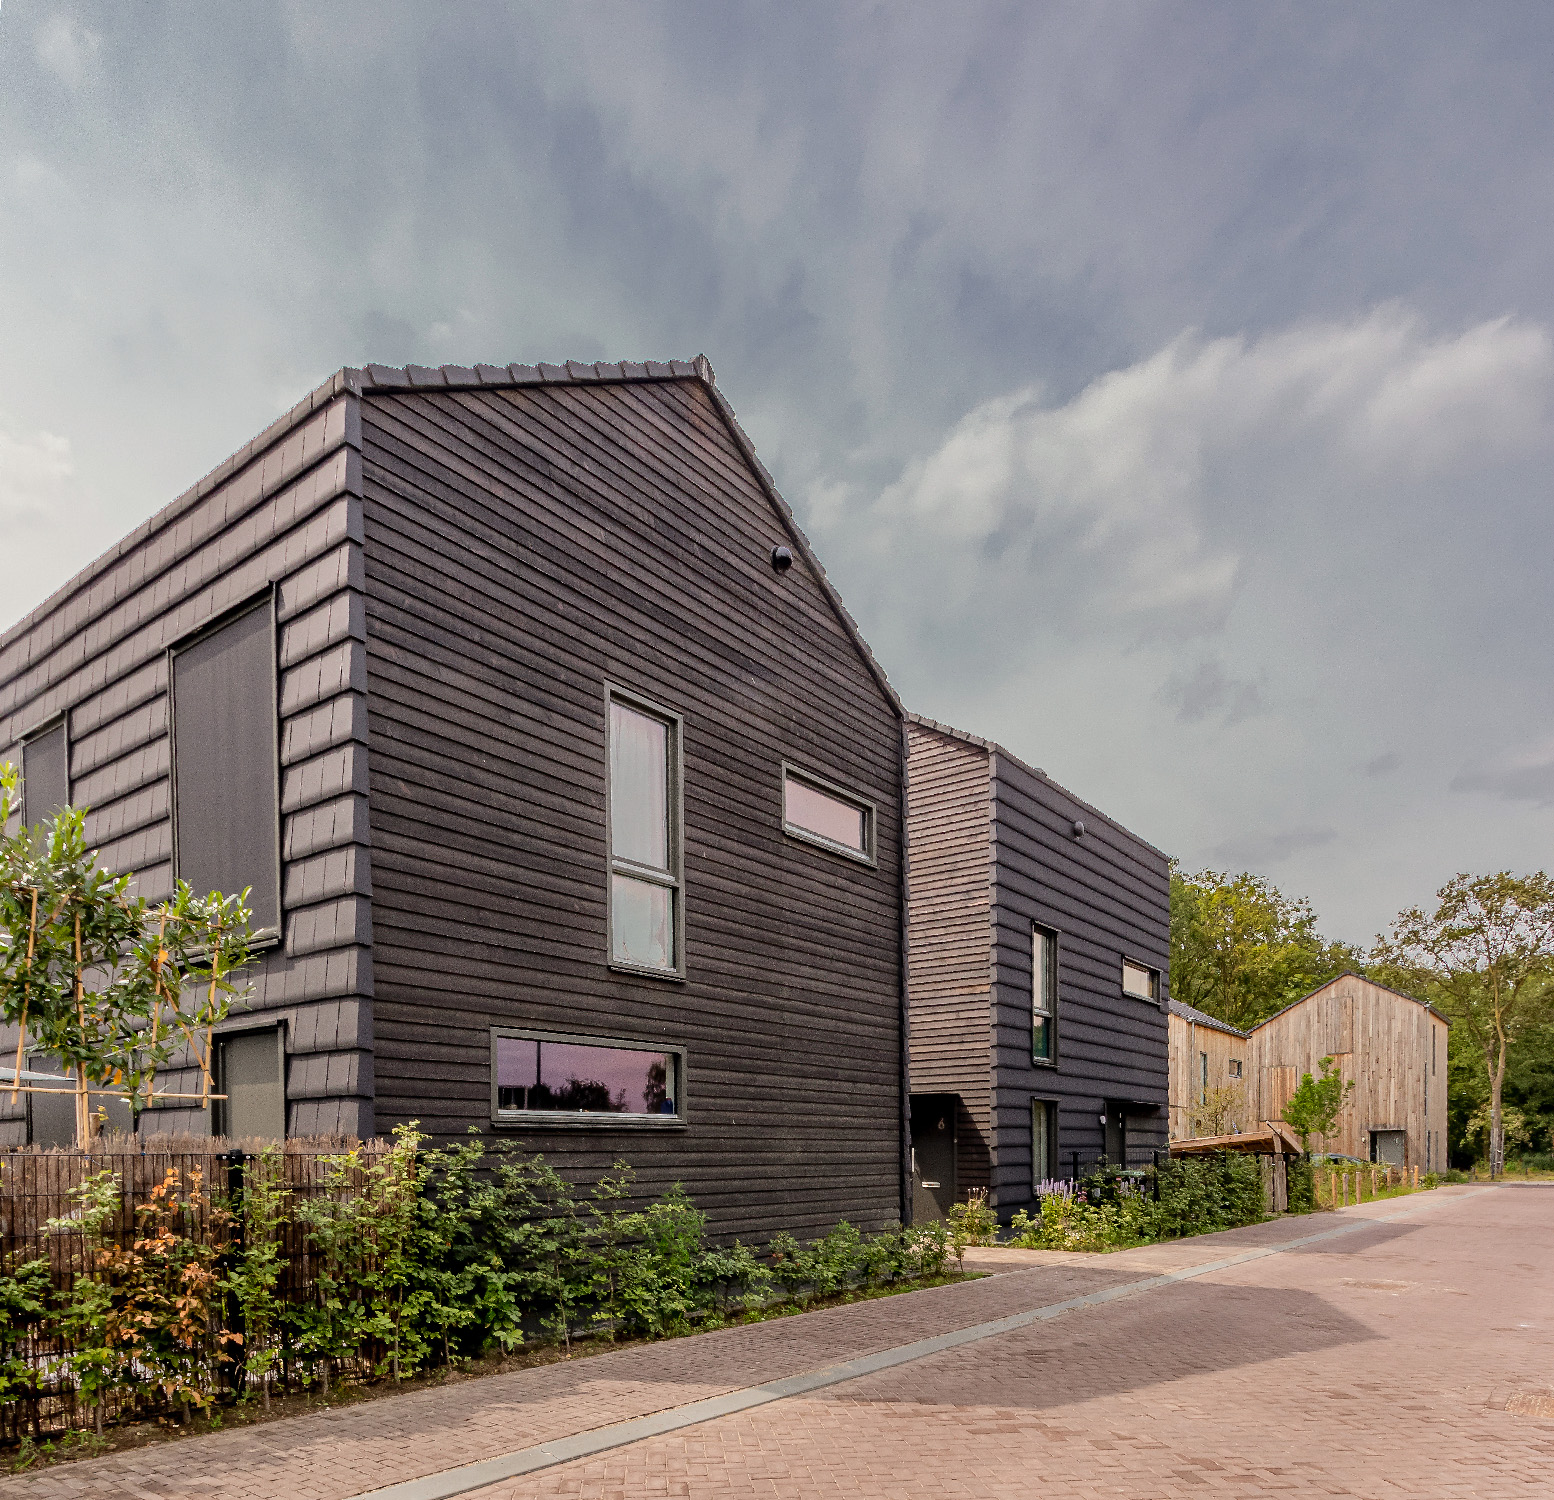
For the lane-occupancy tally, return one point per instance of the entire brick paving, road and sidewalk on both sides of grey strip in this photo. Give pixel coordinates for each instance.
(1412, 1359)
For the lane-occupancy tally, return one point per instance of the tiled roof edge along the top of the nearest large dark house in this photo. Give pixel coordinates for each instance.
(375, 380)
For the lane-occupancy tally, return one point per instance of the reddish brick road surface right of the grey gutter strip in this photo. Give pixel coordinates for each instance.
(1413, 1361)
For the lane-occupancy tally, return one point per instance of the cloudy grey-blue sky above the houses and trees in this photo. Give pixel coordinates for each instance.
(1168, 388)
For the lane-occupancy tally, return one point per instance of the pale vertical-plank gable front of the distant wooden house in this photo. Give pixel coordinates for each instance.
(1390, 1045)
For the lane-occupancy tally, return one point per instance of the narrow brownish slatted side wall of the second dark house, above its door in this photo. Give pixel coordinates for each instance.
(950, 943)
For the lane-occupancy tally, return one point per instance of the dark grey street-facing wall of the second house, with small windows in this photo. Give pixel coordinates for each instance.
(1107, 896)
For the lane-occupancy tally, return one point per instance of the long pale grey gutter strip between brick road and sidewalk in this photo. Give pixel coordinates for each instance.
(601, 1440)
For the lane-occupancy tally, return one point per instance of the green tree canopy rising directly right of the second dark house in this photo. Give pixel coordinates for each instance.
(1241, 949)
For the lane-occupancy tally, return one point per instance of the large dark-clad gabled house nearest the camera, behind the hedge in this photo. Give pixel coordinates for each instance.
(568, 794)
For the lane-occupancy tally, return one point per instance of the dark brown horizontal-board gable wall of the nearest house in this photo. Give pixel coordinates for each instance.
(524, 548)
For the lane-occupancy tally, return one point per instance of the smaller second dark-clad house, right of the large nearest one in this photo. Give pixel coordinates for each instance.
(1040, 946)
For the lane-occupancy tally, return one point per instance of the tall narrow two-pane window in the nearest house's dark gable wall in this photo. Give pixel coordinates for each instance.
(646, 916)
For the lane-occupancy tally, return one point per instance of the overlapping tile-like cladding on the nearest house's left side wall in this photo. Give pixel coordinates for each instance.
(284, 515)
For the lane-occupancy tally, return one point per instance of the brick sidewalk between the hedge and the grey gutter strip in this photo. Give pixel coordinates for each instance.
(330, 1456)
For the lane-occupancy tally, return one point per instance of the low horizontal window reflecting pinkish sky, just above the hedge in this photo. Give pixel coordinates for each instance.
(579, 1078)
